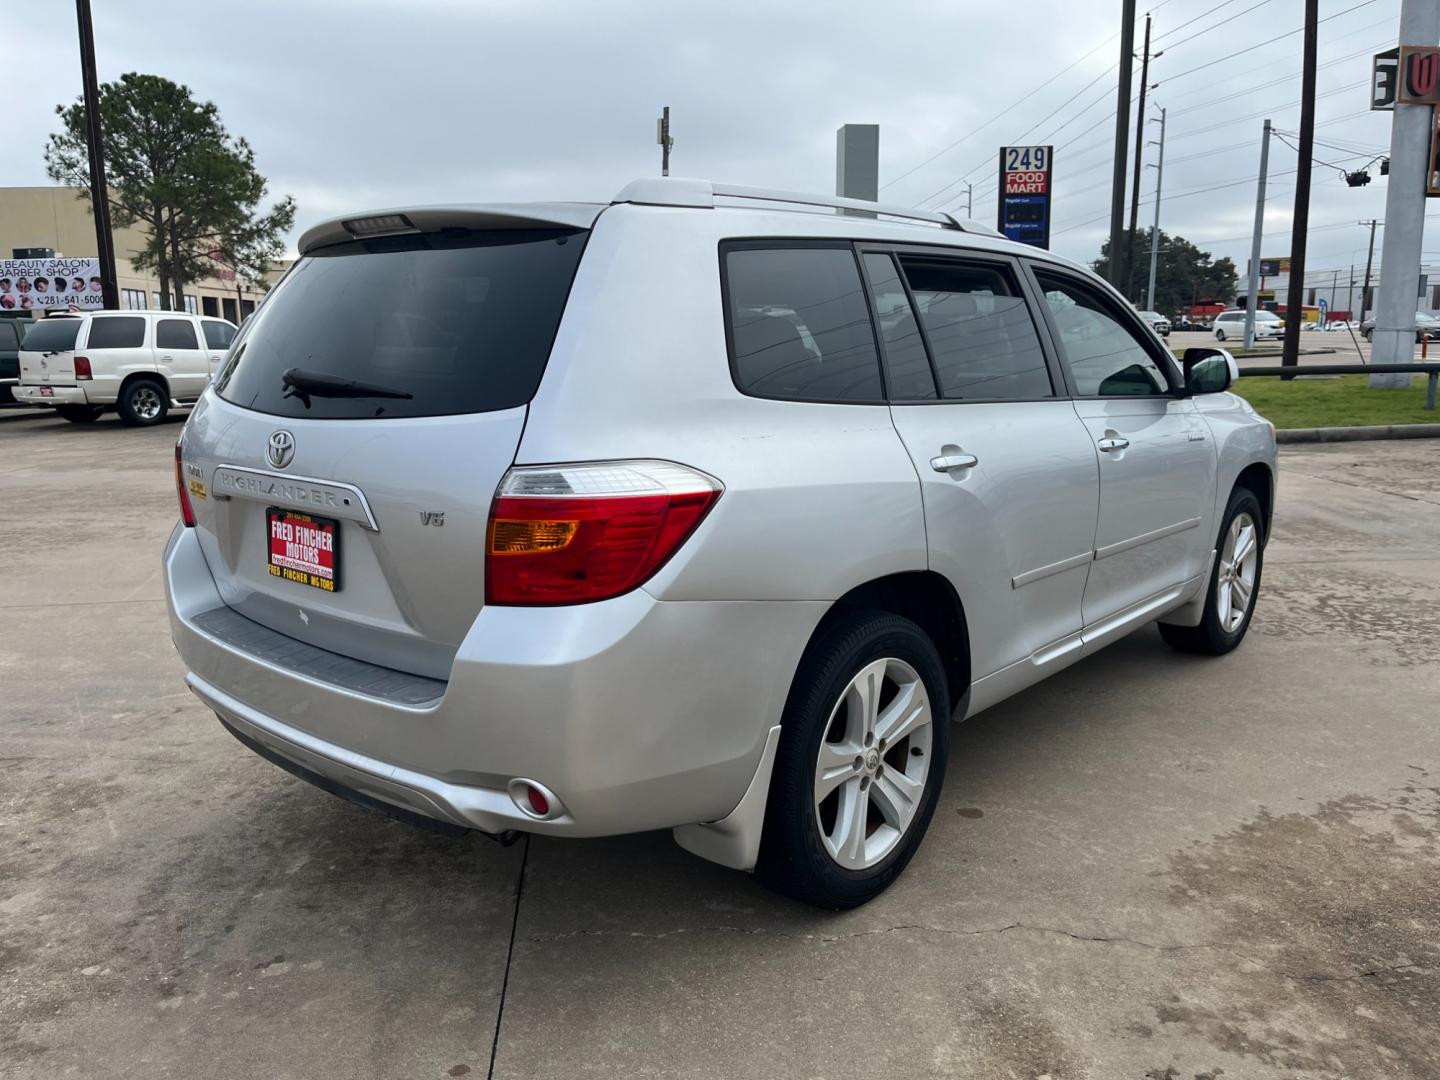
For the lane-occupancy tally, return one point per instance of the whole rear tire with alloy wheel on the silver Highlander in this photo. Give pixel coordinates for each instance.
(860, 764)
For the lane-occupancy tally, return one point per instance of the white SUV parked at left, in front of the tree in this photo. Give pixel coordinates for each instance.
(143, 364)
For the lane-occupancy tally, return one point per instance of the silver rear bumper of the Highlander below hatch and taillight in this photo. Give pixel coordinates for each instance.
(636, 714)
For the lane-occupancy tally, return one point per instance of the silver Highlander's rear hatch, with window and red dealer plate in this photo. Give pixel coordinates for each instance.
(352, 449)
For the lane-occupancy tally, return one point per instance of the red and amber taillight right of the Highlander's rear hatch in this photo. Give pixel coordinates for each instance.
(581, 534)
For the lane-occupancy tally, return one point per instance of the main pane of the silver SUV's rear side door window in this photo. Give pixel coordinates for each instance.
(980, 332)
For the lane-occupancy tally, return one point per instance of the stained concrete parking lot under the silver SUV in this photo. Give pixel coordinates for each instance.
(1148, 868)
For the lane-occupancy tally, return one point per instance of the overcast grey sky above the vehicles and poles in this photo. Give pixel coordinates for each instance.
(378, 103)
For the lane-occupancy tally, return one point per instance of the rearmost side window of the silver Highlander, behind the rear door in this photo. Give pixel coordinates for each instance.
(800, 325)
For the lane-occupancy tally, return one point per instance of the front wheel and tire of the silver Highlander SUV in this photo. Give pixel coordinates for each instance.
(1235, 582)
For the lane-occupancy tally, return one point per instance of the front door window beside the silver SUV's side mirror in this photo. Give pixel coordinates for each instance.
(1105, 356)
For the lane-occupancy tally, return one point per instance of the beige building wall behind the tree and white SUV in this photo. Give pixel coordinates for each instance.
(60, 218)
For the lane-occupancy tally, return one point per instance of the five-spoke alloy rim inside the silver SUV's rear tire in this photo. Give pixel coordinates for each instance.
(873, 764)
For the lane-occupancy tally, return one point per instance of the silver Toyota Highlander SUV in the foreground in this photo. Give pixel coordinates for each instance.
(703, 510)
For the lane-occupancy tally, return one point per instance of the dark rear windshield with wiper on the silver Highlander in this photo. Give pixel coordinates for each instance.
(410, 326)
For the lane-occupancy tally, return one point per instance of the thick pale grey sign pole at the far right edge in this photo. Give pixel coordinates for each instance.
(1393, 342)
